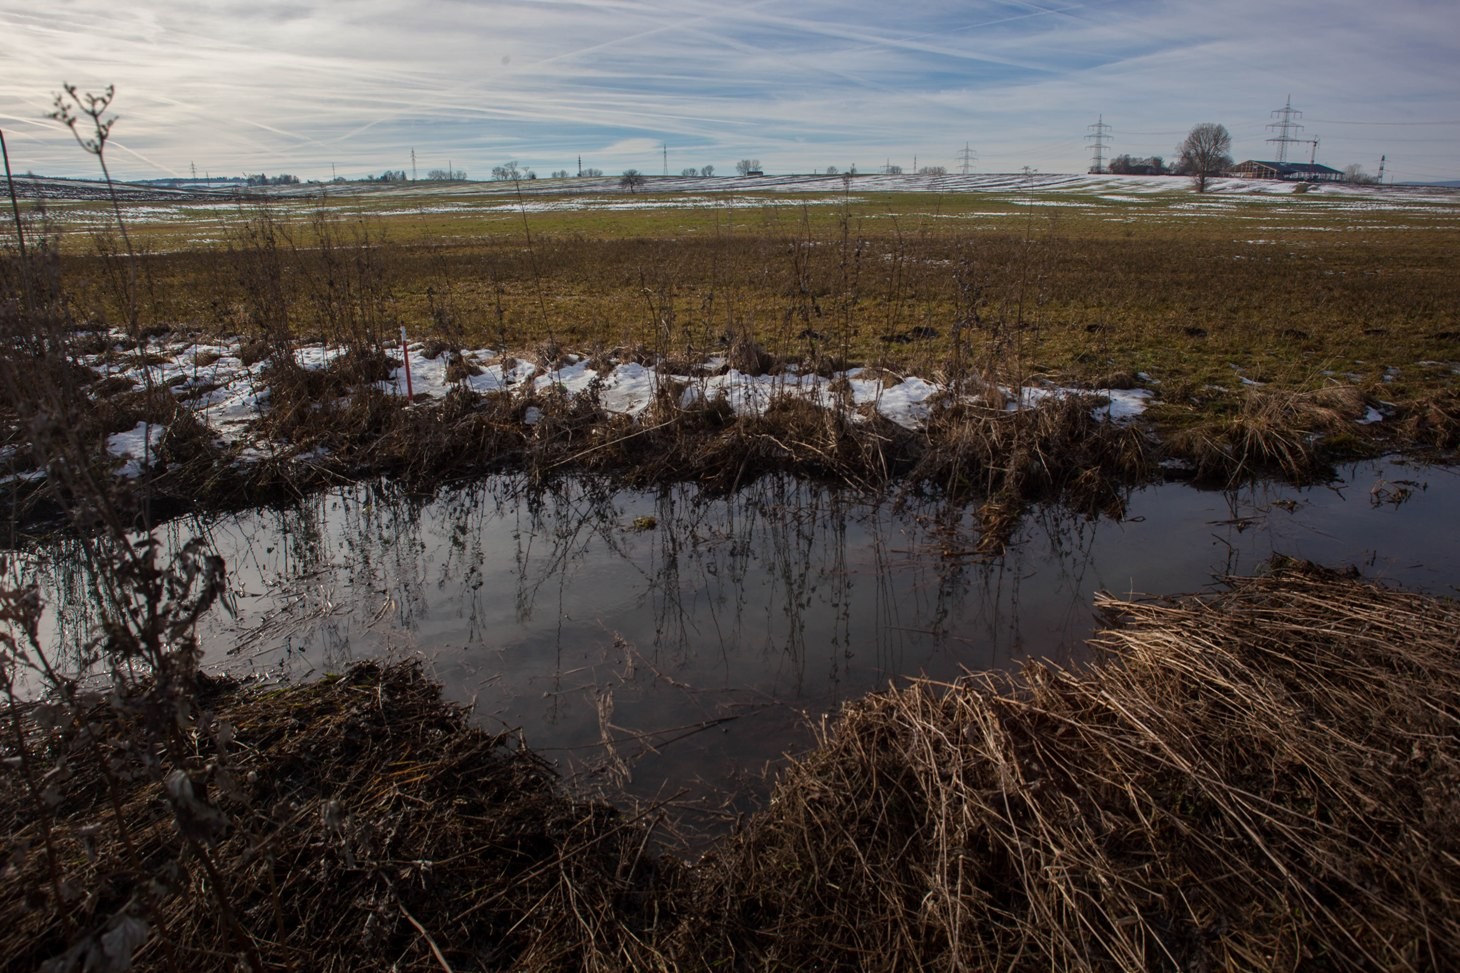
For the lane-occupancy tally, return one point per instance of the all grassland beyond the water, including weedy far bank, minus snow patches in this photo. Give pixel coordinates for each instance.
(1262, 353)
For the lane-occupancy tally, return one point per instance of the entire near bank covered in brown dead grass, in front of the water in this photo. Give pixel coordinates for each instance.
(1267, 778)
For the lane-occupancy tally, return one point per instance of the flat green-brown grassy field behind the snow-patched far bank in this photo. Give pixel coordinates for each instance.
(1074, 286)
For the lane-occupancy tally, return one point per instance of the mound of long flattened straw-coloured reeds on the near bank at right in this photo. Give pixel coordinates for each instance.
(1265, 779)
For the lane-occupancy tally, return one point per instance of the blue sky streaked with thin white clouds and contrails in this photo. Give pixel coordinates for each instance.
(322, 88)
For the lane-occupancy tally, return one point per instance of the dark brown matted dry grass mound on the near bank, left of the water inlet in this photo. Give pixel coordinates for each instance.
(369, 828)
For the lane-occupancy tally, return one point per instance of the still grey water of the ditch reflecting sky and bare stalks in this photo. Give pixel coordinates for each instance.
(702, 646)
